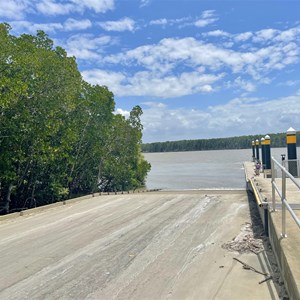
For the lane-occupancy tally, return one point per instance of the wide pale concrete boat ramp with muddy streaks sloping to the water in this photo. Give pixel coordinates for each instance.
(151, 245)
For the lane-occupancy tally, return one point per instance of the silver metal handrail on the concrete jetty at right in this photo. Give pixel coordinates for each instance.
(282, 194)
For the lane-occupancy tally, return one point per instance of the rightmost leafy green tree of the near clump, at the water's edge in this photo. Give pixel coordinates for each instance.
(124, 168)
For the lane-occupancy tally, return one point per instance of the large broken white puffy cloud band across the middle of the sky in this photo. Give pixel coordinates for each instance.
(179, 67)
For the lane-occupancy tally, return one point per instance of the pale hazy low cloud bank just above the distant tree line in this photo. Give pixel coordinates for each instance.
(240, 116)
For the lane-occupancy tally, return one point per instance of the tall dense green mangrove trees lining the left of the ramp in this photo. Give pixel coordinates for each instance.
(59, 137)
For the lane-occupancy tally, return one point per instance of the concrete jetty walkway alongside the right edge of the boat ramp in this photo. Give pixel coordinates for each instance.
(278, 200)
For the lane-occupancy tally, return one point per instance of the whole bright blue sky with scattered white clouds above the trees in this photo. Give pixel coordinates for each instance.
(199, 69)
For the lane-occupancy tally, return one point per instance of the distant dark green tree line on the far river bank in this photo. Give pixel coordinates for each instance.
(237, 142)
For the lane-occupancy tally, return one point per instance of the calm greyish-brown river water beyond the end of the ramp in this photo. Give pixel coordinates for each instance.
(216, 169)
